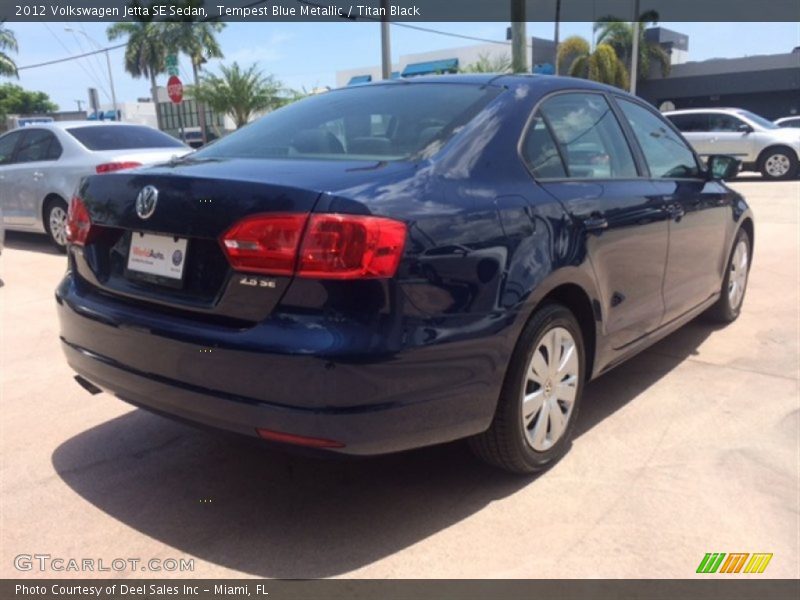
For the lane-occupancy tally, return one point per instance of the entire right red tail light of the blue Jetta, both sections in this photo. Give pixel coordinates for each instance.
(320, 246)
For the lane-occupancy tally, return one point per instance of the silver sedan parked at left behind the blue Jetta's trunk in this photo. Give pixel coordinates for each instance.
(41, 165)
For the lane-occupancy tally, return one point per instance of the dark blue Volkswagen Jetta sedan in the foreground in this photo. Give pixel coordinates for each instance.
(396, 265)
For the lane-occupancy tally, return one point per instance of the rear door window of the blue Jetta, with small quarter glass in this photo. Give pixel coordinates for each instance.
(588, 138)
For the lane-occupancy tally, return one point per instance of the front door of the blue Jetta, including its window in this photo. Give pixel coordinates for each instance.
(698, 210)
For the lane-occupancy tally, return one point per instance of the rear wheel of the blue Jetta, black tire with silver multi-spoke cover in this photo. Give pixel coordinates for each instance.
(526, 444)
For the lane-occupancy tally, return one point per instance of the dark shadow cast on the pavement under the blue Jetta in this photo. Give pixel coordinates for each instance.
(255, 510)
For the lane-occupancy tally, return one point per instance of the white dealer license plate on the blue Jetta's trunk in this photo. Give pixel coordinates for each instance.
(155, 258)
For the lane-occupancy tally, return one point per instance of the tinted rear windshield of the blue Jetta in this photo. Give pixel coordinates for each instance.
(381, 122)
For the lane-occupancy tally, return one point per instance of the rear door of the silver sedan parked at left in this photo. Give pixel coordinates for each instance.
(35, 155)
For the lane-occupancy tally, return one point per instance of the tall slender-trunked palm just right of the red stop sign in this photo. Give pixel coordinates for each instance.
(197, 40)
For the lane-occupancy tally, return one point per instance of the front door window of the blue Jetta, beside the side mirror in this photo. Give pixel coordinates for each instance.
(667, 155)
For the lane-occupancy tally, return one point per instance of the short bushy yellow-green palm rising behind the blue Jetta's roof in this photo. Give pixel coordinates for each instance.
(576, 58)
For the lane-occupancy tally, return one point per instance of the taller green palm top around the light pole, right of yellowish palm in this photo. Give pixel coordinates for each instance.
(619, 35)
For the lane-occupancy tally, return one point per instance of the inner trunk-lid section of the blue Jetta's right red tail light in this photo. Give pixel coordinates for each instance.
(265, 243)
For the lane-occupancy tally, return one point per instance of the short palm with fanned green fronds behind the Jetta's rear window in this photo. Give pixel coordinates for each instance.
(239, 92)
